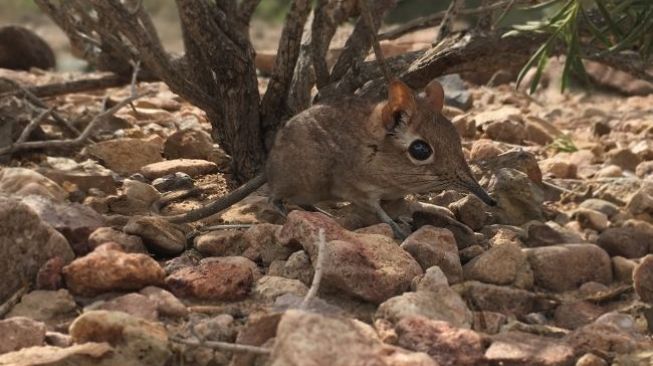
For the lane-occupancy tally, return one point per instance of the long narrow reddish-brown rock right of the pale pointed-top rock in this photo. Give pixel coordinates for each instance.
(498, 298)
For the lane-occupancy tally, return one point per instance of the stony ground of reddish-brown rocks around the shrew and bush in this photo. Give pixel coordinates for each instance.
(561, 273)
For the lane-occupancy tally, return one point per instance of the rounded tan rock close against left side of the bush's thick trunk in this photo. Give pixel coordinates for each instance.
(188, 144)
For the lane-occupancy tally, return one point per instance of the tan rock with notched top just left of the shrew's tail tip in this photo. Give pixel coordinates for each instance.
(137, 198)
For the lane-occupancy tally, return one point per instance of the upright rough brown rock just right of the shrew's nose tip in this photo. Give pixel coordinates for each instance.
(519, 200)
